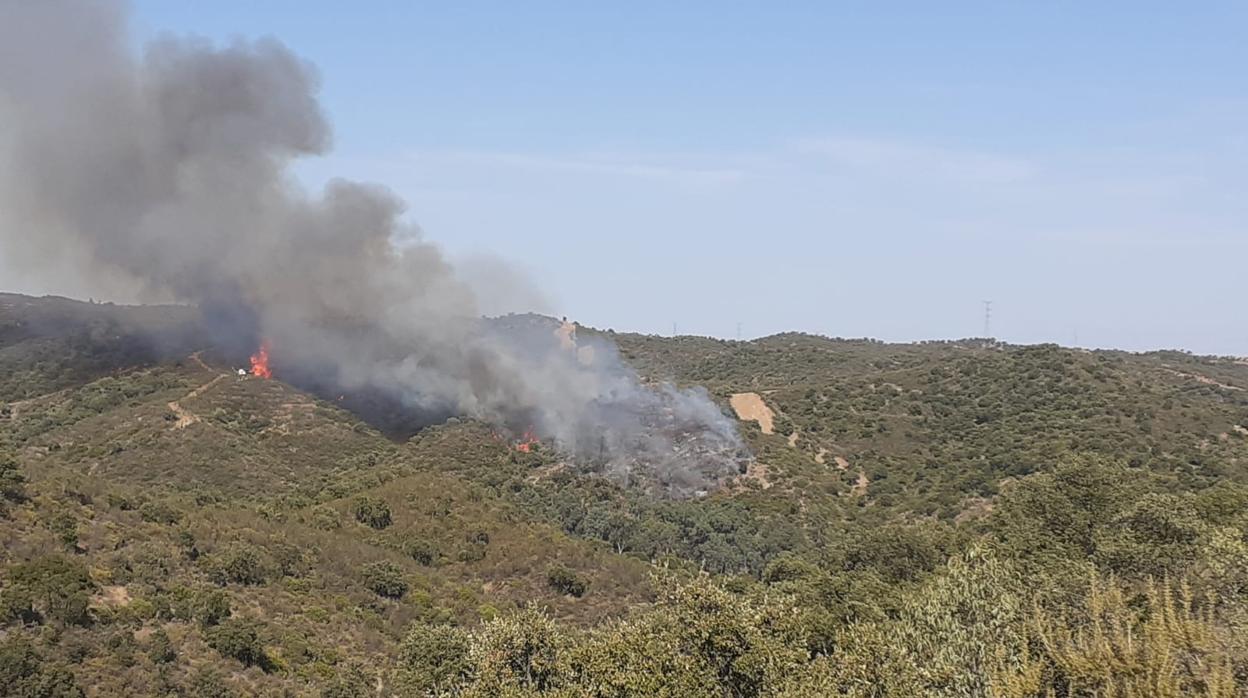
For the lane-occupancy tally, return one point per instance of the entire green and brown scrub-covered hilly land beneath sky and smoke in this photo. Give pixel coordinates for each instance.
(944, 519)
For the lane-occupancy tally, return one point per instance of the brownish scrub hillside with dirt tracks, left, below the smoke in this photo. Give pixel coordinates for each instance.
(174, 481)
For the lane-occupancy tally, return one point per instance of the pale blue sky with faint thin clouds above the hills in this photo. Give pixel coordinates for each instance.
(847, 169)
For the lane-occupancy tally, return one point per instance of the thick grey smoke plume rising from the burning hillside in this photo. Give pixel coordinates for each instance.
(169, 175)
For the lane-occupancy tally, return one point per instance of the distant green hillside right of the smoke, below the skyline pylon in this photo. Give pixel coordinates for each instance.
(937, 424)
